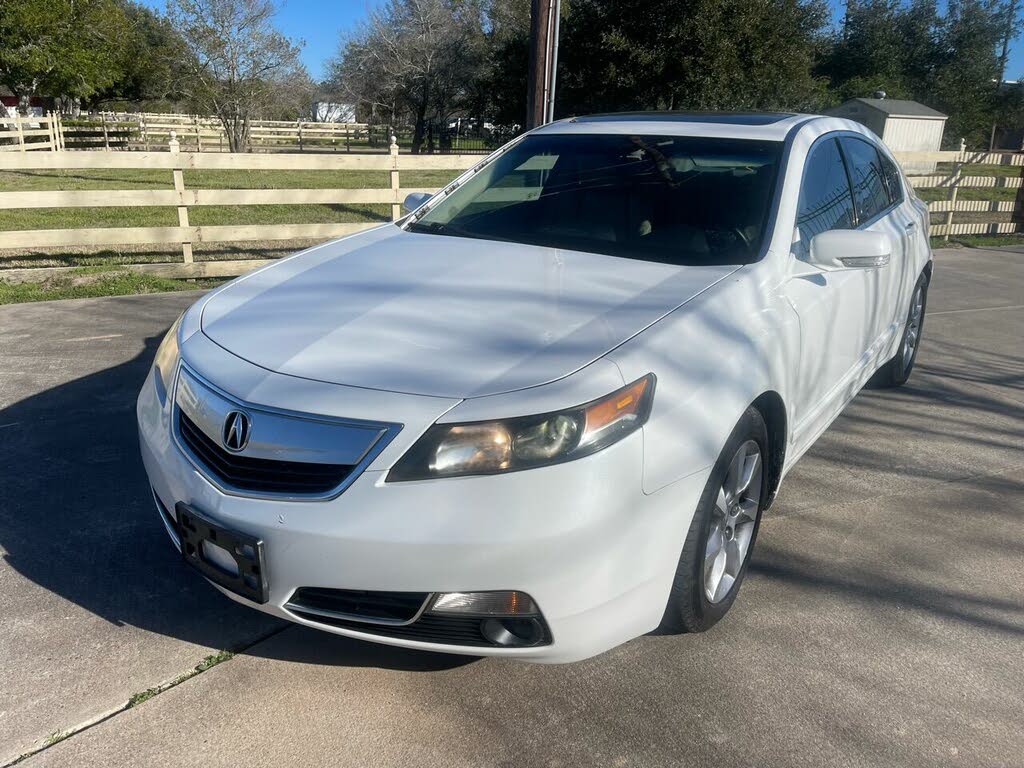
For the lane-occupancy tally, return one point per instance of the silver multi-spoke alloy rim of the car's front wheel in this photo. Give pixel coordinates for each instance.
(734, 520)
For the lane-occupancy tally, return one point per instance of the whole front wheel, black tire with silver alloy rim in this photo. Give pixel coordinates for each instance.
(721, 537)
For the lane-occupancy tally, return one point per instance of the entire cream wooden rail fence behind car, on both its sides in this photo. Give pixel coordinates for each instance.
(950, 217)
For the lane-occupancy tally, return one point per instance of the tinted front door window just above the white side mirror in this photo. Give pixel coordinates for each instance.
(826, 202)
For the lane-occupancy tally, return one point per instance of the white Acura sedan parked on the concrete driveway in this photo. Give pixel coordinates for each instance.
(545, 412)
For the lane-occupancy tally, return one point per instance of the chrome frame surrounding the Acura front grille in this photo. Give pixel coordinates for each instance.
(389, 433)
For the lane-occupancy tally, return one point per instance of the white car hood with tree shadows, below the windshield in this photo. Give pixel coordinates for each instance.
(441, 316)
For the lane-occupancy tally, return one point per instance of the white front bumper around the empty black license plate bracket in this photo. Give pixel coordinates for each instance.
(595, 552)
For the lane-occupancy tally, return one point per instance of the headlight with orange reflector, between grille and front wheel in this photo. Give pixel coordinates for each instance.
(511, 445)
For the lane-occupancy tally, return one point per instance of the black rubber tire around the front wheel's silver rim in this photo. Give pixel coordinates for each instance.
(690, 609)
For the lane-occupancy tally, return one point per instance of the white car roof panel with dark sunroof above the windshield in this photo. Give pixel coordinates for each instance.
(773, 126)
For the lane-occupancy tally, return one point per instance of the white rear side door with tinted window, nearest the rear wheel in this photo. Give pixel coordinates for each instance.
(879, 209)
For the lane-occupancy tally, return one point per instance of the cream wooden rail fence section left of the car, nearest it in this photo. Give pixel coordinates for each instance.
(187, 235)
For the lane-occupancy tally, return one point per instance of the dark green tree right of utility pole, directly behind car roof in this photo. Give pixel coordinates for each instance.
(691, 55)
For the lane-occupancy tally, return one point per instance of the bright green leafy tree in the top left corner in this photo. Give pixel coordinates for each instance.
(61, 49)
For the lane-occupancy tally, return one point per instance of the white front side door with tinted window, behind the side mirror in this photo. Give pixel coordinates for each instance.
(835, 309)
